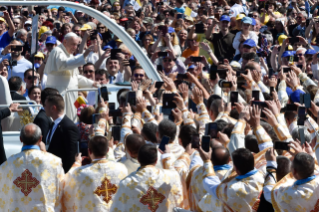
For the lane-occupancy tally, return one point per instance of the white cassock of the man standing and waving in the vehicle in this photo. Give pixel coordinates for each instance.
(63, 74)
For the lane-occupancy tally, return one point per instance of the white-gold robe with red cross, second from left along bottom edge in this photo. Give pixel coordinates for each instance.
(92, 187)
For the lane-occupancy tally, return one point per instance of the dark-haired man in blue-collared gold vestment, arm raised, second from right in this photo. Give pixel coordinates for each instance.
(240, 191)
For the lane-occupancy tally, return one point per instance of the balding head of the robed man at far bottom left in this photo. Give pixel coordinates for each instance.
(30, 134)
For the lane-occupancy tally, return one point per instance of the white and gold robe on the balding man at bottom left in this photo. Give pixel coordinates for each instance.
(31, 181)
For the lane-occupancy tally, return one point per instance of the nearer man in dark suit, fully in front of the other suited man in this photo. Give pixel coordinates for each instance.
(63, 136)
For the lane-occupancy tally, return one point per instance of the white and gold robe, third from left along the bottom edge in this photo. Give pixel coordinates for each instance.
(149, 189)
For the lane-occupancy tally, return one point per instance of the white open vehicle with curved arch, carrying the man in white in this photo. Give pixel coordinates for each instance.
(11, 139)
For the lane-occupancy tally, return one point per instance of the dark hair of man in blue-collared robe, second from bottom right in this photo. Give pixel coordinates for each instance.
(243, 160)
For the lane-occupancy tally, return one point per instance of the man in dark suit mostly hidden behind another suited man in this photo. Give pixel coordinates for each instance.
(42, 120)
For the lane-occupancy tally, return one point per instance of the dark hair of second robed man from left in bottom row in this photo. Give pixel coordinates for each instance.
(99, 146)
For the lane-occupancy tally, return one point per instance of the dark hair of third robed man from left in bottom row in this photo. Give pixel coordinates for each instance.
(147, 154)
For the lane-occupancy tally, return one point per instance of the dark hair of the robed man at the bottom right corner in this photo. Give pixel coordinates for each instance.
(304, 164)
